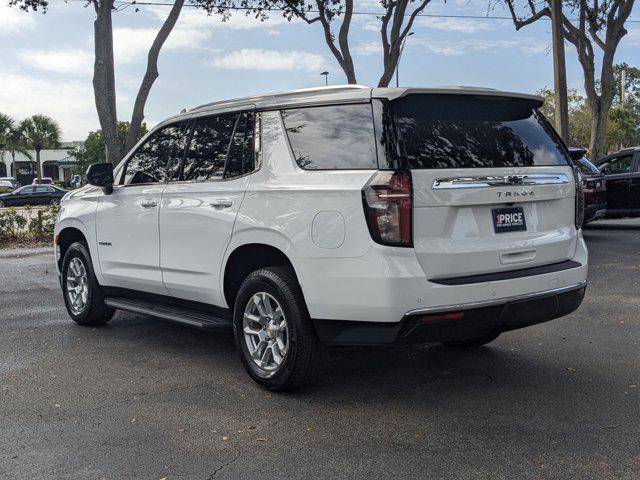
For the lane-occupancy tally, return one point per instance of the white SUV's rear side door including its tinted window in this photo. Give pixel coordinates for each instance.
(198, 210)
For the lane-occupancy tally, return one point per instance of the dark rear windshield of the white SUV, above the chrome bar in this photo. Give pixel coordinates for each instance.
(465, 131)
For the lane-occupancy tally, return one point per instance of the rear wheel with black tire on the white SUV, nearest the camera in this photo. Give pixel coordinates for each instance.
(278, 346)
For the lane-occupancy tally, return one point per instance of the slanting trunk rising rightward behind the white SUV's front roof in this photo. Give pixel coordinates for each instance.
(150, 76)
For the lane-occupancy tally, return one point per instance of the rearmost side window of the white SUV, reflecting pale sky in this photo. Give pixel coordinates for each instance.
(332, 137)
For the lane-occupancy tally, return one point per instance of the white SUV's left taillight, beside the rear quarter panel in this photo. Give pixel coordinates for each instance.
(388, 202)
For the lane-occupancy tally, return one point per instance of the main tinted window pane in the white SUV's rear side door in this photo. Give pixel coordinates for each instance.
(207, 153)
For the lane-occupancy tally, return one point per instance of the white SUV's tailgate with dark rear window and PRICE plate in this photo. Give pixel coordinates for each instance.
(493, 189)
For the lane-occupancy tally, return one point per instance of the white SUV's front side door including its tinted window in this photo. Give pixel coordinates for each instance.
(127, 219)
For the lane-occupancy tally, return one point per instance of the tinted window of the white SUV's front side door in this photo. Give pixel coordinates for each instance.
(153, 159)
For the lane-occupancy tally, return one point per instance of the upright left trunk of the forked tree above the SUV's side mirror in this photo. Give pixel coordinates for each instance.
(104, 85)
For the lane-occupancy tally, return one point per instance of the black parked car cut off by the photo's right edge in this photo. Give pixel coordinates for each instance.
(622, 173)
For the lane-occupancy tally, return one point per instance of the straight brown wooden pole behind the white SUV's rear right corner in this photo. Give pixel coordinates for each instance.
(559, 71)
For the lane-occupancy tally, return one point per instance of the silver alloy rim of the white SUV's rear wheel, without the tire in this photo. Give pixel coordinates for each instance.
(266, 332)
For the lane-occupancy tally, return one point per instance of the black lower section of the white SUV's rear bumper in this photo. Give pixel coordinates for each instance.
(479, 319)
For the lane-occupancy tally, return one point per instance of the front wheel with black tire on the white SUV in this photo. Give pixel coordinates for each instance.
(82, 293)
